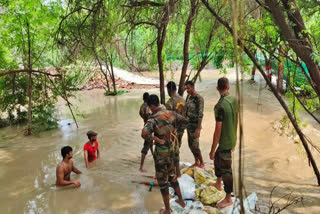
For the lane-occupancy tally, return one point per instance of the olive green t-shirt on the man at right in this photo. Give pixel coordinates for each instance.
(226, 111)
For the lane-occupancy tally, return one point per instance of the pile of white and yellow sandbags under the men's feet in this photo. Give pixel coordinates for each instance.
(201, 197)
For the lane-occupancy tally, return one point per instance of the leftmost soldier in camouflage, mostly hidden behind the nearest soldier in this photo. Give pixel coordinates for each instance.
(144, 114)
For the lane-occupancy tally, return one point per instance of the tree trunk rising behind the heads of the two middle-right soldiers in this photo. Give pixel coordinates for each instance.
(193, 8)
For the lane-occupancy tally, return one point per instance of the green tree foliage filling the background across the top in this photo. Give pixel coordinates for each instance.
(72, 35)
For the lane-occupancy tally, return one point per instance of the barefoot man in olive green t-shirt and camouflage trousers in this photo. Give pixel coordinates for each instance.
(225, 135)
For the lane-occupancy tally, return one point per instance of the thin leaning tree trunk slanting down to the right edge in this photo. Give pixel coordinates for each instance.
(274, 91)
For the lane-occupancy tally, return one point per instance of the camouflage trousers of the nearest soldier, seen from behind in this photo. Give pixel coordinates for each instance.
(164, 165)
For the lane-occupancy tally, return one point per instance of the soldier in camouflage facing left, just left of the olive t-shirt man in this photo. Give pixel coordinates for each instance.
(195, 106)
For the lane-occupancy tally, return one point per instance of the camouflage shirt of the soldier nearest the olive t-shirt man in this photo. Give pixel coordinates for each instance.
(195, 105)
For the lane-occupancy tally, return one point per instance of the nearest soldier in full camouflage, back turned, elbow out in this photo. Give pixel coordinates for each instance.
(161, 124)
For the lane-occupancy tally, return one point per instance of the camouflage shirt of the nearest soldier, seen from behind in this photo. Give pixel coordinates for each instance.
(162, 124)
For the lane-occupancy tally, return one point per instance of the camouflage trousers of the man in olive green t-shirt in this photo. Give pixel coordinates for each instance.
(223, 168)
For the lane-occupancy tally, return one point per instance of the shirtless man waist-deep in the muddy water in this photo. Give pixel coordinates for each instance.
(65, 167)
